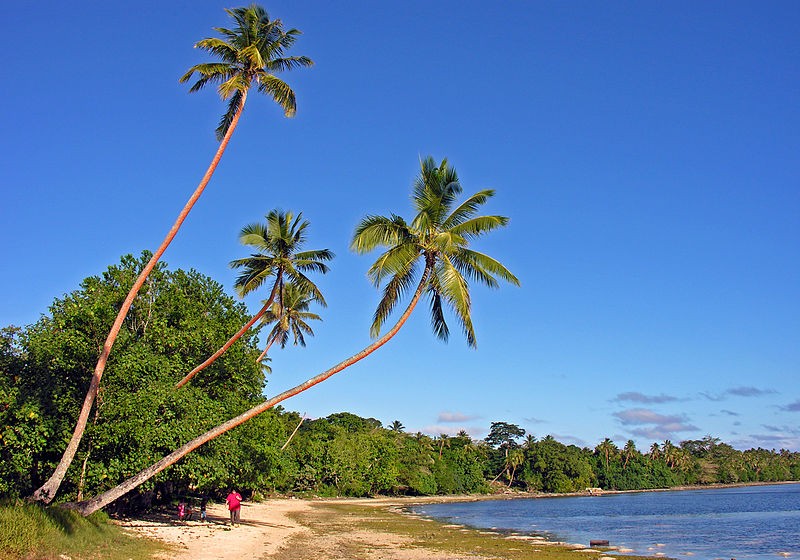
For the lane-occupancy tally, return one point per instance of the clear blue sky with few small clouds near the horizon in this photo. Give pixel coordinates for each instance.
(646, 153)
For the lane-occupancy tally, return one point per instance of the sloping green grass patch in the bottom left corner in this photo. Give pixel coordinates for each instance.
(33, 532)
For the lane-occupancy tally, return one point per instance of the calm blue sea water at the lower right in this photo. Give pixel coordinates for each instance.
(756, 522)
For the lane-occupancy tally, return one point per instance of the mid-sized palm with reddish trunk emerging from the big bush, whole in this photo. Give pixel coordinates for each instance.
(277, 243)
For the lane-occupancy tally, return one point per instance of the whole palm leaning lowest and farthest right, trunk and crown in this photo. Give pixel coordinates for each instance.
(435, 245)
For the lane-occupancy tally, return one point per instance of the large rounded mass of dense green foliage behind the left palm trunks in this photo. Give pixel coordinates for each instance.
(177, 319)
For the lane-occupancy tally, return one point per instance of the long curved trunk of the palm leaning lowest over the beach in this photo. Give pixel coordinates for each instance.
(90, 506)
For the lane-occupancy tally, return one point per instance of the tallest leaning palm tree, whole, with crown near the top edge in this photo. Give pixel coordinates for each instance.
(251, 53)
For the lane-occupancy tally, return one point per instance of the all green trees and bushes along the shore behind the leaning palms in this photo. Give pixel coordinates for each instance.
(178, 319)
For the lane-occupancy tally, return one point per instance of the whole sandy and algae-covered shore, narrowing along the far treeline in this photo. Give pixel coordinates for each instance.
(289, 528)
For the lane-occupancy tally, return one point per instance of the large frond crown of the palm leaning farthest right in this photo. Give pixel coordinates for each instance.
(437, 239)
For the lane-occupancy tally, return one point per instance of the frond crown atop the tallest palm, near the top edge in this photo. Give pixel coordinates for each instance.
(250, 53)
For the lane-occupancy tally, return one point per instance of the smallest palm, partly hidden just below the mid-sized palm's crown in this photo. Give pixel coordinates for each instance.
(289, 314)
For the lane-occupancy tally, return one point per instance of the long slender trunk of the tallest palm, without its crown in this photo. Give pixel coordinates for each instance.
(48, 490)
